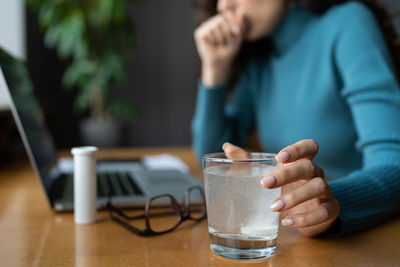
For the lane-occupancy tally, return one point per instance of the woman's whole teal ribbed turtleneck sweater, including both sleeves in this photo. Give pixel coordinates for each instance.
(330, 78)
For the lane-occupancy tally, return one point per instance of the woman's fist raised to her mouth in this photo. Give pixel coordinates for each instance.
(218, 40)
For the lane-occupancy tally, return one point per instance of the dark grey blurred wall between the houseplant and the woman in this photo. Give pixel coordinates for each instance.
(162, 73)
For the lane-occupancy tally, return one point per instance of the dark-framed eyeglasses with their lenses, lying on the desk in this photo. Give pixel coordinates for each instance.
(163, 213)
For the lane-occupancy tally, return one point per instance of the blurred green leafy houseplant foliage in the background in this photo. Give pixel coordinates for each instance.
(95, 37)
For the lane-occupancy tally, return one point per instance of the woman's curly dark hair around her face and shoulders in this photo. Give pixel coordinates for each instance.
(261, 48)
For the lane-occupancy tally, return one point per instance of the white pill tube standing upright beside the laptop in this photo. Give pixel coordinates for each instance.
(84, 184)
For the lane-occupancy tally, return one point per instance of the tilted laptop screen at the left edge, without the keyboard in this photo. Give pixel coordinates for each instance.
(15, 84)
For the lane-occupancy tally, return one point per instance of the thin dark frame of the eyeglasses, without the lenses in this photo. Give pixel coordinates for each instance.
(183, 214)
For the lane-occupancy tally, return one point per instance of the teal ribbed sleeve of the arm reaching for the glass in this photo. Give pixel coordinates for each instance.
(371, 194)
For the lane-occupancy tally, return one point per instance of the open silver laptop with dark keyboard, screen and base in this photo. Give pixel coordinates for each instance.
(128, 183)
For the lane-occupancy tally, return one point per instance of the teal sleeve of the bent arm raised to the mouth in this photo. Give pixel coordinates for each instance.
(217, 120)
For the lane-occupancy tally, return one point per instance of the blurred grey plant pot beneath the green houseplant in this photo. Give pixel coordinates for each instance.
(100, 132)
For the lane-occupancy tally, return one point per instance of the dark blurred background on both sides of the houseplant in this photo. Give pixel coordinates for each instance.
(161, 78)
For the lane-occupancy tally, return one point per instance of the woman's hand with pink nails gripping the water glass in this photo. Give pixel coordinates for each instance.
(306, 202)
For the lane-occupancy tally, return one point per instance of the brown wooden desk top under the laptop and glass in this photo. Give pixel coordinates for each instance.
(32, 235)
